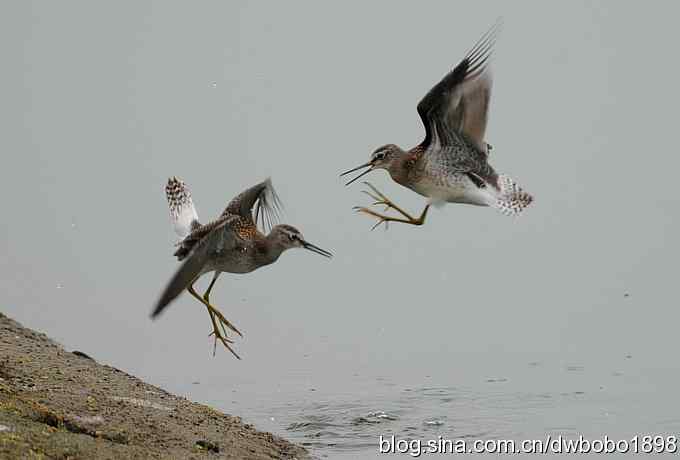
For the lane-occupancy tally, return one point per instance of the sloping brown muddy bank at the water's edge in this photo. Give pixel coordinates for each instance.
(61, 404)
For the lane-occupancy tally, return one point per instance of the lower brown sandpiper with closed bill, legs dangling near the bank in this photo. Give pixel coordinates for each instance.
(232, 243)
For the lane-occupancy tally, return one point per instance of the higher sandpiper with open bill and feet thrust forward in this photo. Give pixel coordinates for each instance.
(451, 164)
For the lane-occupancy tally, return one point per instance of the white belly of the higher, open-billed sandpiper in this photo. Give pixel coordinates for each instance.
(453, 190)
